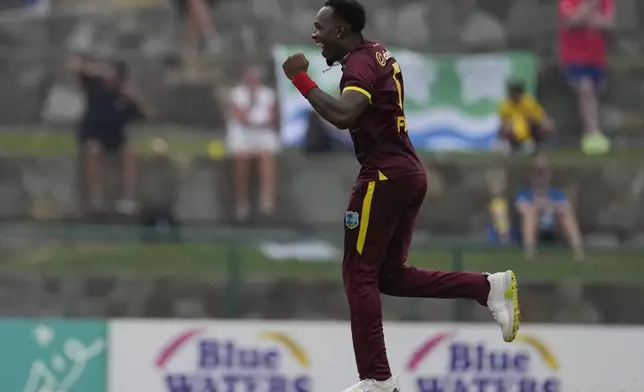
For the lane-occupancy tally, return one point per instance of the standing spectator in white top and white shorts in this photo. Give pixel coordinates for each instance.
(252, 132)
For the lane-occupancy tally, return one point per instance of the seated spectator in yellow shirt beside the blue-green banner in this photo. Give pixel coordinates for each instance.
(524, 124)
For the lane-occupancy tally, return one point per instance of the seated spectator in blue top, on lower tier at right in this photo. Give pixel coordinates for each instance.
(545, 212)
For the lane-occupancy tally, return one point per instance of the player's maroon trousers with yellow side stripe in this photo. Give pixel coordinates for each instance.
(379, 223)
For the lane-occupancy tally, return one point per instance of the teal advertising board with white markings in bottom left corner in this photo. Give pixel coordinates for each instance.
(42, 355)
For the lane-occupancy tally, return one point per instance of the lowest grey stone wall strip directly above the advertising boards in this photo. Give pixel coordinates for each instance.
(34, 295)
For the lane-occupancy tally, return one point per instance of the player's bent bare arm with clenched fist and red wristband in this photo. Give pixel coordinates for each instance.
(341, 112)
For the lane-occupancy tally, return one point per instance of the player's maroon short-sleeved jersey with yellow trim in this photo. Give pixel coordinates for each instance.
(379, 135)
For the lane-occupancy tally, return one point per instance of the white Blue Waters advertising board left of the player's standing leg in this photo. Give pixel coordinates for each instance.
(224, 356)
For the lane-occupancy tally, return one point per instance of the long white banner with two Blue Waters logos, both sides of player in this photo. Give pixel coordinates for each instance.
(260, 356)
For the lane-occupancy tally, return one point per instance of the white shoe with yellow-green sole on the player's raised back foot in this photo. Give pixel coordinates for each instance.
(503, 302)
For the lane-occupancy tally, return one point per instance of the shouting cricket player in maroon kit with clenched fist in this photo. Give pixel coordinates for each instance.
(388, 194)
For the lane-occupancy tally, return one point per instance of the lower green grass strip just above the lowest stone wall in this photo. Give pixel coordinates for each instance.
(222, 262)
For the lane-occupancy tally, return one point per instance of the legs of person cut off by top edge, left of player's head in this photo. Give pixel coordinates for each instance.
(196, 17)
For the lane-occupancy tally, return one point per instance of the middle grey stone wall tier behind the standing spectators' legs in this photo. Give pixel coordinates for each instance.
(313, 191)
